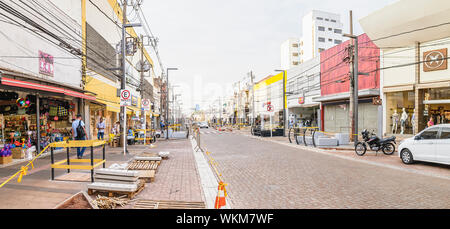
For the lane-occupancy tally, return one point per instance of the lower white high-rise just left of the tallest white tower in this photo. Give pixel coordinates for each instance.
(290, 53)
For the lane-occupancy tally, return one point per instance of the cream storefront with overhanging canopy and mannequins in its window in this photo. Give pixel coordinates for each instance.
(415, 77)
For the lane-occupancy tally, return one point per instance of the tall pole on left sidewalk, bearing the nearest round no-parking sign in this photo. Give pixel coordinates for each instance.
(123, 83)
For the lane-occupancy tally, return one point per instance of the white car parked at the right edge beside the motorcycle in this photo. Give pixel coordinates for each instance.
(430, 145)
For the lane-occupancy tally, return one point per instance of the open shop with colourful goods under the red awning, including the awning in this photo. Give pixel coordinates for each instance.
(23, 100)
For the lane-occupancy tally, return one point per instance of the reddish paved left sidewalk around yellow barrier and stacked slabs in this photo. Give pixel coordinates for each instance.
(176, 179)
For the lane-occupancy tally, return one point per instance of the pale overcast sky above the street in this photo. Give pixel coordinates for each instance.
(215, 43)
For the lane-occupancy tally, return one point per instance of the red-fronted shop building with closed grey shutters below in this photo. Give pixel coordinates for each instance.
(335, 88)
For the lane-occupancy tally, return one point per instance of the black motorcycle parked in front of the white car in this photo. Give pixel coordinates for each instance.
(375, 143)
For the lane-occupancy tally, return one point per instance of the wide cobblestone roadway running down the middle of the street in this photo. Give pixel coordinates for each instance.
(264, 174)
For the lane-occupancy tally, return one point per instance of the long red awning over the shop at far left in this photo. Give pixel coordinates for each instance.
(24, 84)
